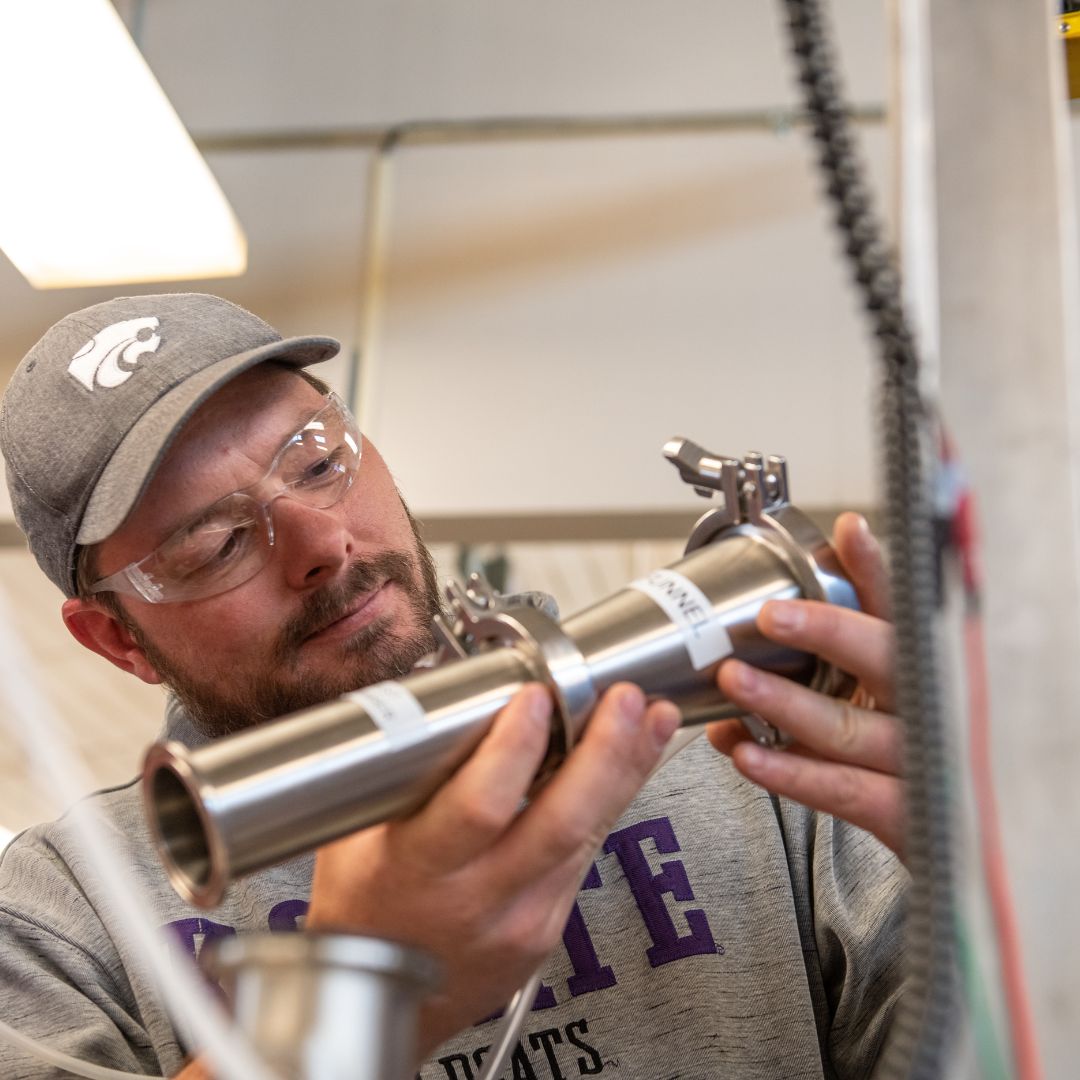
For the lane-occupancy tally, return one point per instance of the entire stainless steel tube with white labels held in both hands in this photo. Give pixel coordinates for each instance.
(274, 792)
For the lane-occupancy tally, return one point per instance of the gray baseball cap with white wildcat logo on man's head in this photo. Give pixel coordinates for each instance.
(96, 404)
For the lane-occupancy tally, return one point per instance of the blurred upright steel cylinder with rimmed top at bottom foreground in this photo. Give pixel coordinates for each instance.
(326, 1007)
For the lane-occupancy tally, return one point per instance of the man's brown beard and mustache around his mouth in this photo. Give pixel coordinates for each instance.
(377, 652)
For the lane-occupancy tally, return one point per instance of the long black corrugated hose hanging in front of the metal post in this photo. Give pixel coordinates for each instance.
(921, 1038)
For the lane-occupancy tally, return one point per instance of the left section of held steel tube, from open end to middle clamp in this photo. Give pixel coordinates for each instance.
(264, 795)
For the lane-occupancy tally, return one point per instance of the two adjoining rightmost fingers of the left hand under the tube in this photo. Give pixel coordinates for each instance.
(574, 813)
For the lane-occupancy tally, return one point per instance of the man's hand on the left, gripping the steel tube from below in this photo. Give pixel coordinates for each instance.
(475, 880)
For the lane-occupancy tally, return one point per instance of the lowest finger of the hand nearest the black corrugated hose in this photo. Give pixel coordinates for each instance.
(869, 800)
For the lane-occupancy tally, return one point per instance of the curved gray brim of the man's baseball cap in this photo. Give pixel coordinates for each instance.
(137, 458)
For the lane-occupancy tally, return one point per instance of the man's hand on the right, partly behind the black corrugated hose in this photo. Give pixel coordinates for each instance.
(847, 759)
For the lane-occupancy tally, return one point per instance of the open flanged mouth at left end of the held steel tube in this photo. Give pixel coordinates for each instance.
(184, 834)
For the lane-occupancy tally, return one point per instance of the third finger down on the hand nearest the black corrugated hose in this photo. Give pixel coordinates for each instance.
(827, 726)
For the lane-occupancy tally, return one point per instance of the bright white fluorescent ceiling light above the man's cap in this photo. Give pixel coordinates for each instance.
(101, 182)
